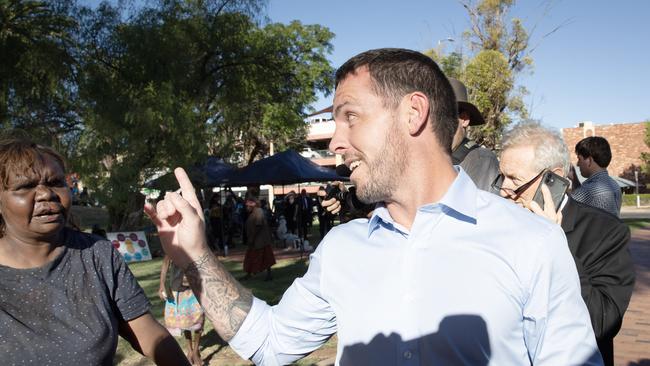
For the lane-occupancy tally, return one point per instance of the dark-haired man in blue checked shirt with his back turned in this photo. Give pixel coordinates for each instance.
(599, 190)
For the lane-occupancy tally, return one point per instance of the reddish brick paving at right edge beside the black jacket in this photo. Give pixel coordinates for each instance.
(632, 344)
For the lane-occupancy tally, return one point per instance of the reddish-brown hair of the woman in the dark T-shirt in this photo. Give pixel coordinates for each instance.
(20, 156)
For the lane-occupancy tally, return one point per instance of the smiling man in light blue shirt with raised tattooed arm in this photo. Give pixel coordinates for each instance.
(441, 274)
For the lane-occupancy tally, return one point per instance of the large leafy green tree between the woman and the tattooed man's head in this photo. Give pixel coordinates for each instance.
(174, 82)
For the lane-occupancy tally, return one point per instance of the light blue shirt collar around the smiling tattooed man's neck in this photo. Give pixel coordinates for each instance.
(459, 202)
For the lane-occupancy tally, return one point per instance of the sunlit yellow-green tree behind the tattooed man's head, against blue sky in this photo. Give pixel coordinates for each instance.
(499, 51)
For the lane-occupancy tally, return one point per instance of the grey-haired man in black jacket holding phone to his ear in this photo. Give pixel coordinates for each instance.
(534, 162)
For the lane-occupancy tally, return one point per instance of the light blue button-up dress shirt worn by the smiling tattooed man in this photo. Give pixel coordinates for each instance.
(476, 281)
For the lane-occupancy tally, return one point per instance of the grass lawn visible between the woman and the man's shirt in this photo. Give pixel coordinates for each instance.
(213, 350)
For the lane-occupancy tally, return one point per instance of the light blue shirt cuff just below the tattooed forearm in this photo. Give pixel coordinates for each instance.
(253, 331)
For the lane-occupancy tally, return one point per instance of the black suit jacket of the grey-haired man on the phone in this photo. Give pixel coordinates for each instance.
(598, 241)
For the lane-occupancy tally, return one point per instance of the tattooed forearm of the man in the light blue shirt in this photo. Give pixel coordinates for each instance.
(225, 301)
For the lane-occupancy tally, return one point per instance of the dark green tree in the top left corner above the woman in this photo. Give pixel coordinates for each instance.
(37, 69)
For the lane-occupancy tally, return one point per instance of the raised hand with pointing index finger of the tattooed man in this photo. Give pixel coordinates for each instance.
(180, 222)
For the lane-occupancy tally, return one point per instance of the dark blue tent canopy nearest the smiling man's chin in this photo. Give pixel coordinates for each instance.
(287, 167)
